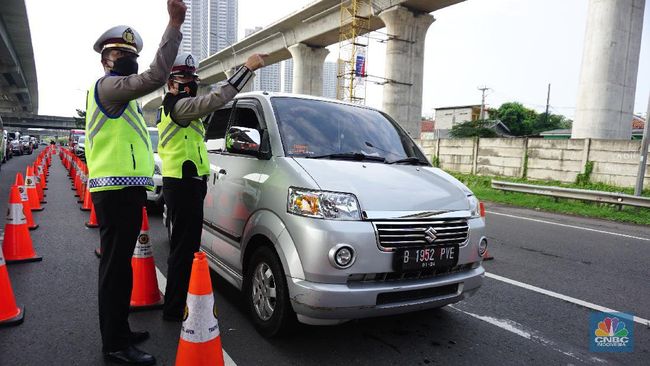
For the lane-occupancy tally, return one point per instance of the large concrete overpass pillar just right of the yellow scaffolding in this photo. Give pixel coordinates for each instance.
(404, 66)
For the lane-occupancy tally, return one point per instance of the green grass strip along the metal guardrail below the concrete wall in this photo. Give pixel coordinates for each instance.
(481, 186)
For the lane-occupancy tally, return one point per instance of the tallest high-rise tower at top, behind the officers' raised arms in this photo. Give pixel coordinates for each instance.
(210, 26)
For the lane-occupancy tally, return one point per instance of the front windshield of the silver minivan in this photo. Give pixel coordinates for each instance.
(322, 129)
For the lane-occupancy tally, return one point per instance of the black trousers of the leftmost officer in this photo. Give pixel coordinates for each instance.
(119, 214)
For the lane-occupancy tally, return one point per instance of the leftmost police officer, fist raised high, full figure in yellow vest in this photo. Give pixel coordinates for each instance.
(120, 165)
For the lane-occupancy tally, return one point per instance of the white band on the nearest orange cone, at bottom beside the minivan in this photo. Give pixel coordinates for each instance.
(201, 323)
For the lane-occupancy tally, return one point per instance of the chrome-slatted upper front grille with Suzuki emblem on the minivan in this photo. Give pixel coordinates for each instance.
(406, 234)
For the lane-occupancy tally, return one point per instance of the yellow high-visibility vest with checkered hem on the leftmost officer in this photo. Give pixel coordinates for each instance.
(118, 148)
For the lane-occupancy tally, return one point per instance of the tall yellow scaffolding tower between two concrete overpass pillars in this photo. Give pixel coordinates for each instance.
(353, 47)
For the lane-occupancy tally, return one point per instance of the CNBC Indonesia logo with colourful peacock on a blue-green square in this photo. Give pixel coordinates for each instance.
(610, 333)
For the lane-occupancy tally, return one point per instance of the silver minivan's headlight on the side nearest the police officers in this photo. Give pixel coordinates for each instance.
(324, 205)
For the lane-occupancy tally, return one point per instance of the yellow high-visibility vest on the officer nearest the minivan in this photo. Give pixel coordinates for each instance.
(179, 144)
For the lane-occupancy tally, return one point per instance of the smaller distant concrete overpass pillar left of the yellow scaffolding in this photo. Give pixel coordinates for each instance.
(308, 69)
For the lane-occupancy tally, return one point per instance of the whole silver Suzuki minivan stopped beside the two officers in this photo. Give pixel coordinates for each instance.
(323, 212)
